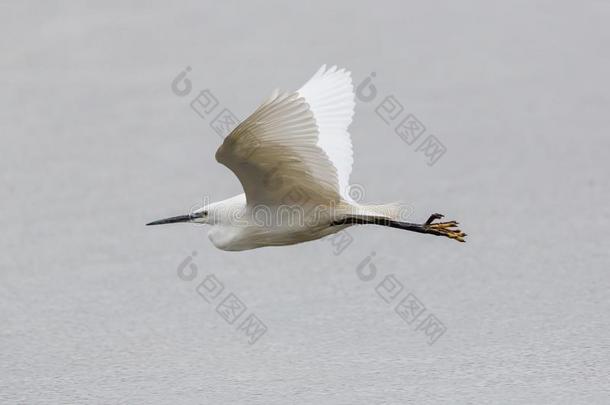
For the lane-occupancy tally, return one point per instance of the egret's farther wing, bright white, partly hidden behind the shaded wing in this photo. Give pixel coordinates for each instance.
(330, 96)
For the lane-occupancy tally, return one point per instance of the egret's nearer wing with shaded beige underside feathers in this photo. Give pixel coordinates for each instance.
(275, 156)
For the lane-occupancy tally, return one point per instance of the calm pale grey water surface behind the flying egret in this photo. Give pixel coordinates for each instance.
(95, 144)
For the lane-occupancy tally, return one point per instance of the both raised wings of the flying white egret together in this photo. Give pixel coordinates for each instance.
(295, 147)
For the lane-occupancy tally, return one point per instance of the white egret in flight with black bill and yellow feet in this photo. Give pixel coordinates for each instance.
(293, 157)
